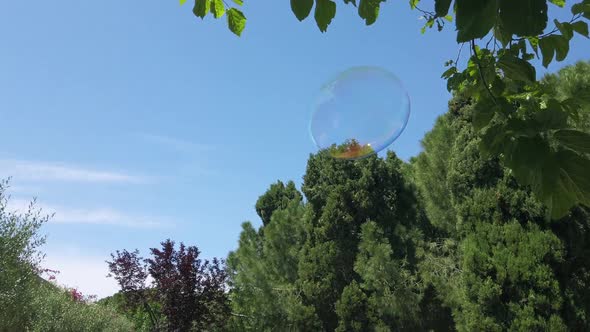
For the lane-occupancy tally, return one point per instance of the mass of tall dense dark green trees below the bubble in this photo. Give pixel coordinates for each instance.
(450, 241)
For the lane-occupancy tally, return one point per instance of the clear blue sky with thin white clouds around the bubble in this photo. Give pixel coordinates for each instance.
(135, 121)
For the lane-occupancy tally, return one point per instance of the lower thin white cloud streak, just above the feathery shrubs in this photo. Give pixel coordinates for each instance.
(100, 216)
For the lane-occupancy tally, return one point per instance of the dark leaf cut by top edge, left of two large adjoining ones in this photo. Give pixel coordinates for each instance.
(475, 18)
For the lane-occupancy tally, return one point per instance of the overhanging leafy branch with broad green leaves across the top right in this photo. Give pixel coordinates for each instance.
(517, 119)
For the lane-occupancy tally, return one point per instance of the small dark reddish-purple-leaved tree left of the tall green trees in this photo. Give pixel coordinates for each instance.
(190, 291)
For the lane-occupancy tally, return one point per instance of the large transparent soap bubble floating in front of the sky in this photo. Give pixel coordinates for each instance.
(359, 112)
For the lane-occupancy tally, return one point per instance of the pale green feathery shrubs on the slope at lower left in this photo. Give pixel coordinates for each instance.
(30, 303)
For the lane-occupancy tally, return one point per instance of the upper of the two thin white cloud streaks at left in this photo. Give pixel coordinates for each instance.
(47, 171)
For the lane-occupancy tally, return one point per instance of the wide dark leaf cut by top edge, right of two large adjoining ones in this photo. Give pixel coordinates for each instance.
(523, 17)
